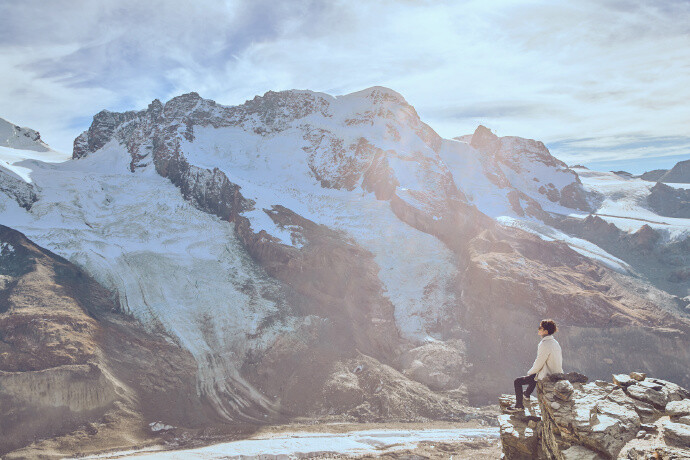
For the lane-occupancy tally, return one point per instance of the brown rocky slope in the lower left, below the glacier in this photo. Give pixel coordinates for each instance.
(69, 363)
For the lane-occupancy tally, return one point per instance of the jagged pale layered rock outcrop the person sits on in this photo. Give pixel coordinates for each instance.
(633, 417)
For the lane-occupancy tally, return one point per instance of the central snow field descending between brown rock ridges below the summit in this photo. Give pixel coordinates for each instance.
(416, 268)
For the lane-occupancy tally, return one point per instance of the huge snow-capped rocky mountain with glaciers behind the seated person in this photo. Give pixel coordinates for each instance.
(325, 255)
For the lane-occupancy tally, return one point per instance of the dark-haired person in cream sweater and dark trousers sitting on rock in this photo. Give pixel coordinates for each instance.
(549, 361)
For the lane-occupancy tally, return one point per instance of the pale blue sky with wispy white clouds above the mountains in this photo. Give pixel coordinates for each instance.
(605, 84)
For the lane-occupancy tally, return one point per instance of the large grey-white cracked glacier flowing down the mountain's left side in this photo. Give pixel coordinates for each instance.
(136, 235)
